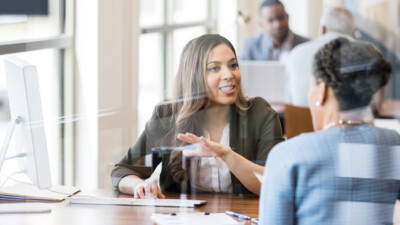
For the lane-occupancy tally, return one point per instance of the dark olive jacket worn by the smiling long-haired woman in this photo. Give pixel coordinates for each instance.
(252, 134)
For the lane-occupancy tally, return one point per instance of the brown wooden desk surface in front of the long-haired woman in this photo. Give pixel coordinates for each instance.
(70, 214)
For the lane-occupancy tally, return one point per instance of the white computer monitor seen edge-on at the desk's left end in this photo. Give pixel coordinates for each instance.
(26, 124)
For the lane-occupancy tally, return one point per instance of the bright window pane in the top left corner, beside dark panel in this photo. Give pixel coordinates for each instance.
(14, 28)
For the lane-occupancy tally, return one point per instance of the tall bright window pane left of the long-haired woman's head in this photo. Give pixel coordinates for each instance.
(150, 75)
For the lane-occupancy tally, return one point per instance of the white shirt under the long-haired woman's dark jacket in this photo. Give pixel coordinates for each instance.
(208, 174)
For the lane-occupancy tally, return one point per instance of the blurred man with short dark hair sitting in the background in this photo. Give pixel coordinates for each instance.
(277, 40)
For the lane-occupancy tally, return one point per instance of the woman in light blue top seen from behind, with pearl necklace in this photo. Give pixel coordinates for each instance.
(305, 181)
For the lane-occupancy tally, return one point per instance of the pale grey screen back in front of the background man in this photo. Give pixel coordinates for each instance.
(265, 79)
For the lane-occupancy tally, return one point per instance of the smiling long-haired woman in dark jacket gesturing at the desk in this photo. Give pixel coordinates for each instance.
(232, 134)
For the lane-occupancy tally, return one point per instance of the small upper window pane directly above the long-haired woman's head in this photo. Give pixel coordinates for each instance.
(185, 11)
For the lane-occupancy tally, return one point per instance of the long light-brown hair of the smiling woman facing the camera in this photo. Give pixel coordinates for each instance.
(191, 95)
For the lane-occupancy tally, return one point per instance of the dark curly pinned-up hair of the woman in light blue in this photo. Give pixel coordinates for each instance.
(354, 70)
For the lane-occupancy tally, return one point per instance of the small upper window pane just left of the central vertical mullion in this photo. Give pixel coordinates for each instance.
(151, 12)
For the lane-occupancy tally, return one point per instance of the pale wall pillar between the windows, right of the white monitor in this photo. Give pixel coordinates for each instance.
(106, 87)
